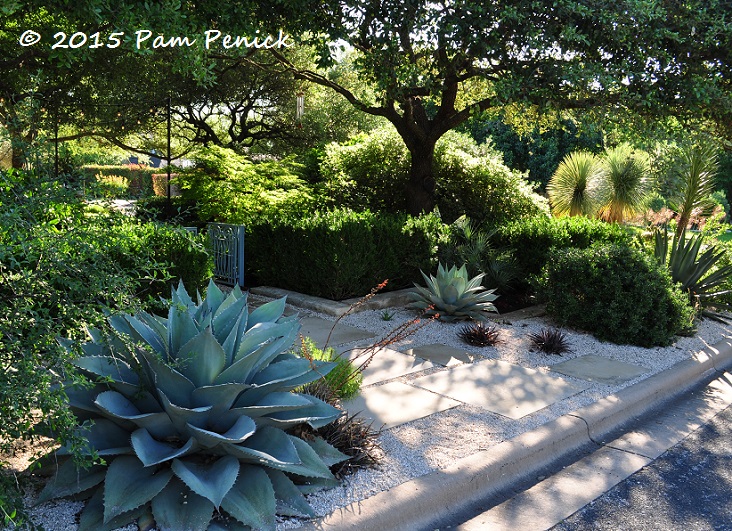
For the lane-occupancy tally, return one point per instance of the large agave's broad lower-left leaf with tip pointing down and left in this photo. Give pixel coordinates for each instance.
(130, 484)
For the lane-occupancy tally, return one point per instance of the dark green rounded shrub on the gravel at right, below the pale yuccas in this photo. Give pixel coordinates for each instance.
(617, 293)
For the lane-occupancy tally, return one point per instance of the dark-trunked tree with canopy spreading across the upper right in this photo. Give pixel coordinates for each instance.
(434, 63)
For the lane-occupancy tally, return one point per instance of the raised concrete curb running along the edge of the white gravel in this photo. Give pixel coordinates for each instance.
(416, 504)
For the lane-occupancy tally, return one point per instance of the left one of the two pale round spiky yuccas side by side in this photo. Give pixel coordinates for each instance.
(573, 187)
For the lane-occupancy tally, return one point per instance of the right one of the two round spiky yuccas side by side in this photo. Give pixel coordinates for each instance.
(625, 183)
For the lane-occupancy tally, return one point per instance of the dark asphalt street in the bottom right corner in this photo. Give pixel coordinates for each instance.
(688, 488)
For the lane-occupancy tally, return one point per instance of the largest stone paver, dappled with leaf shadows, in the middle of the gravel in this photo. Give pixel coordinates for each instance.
(501, 387)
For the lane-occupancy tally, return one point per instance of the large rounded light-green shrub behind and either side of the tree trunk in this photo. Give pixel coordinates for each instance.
(371, 172)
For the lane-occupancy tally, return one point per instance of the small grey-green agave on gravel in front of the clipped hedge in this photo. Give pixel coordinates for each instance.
(453, 295)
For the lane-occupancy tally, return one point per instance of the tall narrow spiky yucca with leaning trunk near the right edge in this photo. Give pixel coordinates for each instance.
(697, 181)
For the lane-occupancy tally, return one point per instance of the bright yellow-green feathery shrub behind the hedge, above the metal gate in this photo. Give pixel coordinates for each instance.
(229, 188)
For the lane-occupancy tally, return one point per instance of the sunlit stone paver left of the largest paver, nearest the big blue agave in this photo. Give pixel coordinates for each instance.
(395, 403)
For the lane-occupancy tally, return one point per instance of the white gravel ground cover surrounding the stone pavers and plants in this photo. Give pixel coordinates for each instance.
(422, 446)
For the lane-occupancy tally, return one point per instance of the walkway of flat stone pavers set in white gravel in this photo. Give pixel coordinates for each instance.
(497, 386)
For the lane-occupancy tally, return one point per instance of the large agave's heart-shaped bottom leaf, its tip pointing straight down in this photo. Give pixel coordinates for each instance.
(212, 481)
